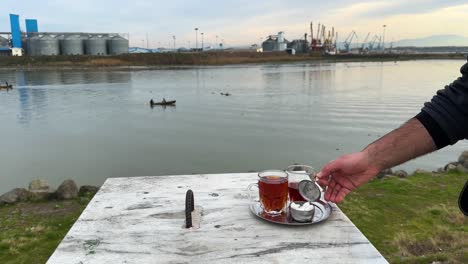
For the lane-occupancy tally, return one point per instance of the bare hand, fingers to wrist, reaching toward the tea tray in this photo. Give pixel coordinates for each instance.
(346, 174)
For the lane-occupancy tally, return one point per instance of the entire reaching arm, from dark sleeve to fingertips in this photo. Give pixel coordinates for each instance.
(442, 121)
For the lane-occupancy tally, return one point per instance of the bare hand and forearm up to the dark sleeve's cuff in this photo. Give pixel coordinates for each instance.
(348, 172)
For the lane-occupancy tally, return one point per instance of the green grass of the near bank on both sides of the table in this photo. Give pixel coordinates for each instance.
(410, 220)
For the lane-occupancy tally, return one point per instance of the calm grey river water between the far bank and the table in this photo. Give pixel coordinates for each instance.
(91, 125)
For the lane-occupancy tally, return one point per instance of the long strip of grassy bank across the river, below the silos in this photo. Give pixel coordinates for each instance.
(206, 58)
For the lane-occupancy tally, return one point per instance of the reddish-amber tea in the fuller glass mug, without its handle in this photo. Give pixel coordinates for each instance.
(273, 192)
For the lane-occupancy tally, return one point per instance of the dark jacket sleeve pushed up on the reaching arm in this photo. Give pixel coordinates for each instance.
(446, 115)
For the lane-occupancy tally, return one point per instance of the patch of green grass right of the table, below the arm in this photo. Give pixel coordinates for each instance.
(413, 220)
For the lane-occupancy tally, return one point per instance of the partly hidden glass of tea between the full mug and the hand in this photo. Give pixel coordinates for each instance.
(297, 173)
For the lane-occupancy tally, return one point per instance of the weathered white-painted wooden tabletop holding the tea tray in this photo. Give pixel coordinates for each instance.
(140, 220)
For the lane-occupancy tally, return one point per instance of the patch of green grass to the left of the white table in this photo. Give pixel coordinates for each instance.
(30, 232)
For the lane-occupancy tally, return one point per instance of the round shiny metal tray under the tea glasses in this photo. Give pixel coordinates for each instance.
(322, 212)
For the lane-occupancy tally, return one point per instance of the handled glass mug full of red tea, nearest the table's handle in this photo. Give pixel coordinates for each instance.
(272, 190)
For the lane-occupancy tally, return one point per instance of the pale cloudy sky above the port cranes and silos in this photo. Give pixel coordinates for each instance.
(241, 22)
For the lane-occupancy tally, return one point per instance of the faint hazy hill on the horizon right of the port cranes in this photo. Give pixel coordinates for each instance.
(433, 41)
